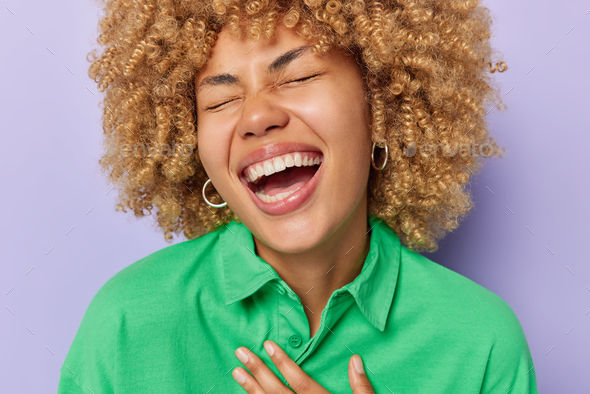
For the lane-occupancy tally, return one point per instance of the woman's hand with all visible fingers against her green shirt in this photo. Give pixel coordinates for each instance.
(265, 381)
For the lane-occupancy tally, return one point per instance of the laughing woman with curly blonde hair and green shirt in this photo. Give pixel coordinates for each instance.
(316, 126)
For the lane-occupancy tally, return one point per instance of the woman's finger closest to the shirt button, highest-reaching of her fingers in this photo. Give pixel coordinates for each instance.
(299, 381)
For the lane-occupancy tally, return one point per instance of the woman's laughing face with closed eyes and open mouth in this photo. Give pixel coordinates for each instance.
(265, 110)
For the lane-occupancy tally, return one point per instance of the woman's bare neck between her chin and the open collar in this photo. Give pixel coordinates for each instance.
(316, 273)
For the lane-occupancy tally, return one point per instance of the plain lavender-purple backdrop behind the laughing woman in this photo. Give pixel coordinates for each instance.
(51, 137)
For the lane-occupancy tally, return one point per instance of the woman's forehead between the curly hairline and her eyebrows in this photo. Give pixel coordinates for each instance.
(231, 52)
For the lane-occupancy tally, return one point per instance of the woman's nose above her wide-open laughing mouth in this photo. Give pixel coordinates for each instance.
(260, 115)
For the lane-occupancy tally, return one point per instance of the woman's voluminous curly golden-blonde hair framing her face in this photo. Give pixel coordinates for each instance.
(425, 63)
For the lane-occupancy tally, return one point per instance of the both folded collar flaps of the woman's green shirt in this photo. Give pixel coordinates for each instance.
(372, 289)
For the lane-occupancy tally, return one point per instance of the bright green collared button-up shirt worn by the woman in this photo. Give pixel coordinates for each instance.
(170, 323)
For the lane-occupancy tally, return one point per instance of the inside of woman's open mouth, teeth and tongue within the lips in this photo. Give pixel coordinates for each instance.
(277, 178)
